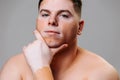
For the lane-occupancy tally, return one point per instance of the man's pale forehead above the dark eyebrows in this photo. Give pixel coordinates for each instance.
(55, 5)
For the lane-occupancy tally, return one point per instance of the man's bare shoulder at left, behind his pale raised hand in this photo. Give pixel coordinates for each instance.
(13, 68)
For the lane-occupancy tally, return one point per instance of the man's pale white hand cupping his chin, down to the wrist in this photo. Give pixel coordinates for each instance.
(38, 54)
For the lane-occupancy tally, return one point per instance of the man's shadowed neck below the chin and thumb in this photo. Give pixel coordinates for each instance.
(63, 60)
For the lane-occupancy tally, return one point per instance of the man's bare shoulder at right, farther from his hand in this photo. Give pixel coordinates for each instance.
(97, 67)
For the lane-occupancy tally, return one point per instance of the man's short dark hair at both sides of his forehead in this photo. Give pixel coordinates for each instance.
(76, 3)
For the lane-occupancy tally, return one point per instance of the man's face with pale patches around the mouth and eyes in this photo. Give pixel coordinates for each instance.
(57, 22)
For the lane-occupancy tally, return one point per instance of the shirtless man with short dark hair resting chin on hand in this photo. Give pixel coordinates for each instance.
(55, 55)
